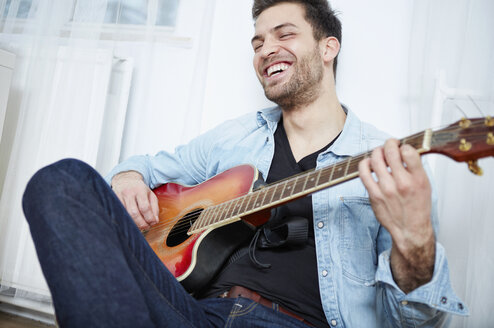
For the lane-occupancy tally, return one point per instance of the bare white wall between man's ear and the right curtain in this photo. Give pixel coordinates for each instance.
(373, 68)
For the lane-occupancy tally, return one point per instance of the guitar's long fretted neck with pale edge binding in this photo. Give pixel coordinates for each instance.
(293, 188)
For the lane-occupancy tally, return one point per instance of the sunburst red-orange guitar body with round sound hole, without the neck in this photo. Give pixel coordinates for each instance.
(195, 259)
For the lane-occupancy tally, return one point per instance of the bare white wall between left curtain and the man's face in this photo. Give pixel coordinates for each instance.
(231, 82)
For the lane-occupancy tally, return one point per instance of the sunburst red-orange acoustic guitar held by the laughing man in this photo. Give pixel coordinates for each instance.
(200, 226)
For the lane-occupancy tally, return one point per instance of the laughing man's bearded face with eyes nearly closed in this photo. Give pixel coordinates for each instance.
(287, 58)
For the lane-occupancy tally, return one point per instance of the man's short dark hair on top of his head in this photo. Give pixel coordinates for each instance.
(318, 14)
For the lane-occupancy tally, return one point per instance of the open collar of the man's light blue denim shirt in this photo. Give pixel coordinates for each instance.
(349, 143)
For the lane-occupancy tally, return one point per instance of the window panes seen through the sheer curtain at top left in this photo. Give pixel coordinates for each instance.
(129, 12)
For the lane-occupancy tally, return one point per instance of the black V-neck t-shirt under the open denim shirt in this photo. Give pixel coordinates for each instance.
(291, 280)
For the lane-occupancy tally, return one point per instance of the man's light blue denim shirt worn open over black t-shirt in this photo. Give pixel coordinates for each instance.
(355, 280)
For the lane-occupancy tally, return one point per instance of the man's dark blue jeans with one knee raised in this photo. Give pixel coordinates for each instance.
(101, 271)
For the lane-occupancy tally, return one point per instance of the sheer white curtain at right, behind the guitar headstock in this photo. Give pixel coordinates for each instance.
(452, 76)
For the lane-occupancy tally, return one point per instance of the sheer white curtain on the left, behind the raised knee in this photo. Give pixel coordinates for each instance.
(84, 71)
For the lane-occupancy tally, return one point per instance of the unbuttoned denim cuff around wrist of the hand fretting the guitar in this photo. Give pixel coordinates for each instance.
(437, 293)
